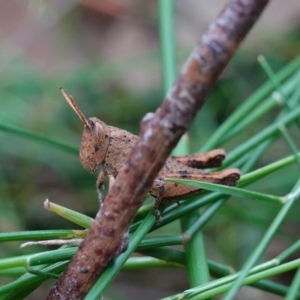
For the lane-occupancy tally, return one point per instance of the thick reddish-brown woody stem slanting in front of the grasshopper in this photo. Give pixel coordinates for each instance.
(159, 134)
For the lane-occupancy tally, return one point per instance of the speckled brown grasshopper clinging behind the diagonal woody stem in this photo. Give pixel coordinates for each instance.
(109, 147)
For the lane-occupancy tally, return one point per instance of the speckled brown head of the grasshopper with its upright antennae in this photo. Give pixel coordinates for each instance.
(95, 138)
